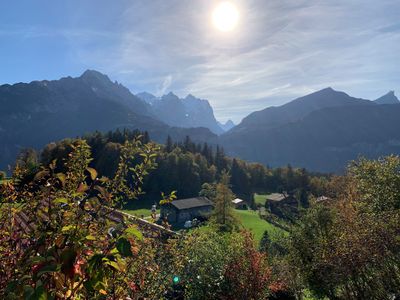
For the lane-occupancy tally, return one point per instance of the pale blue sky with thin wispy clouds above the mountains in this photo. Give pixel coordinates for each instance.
(279, 50)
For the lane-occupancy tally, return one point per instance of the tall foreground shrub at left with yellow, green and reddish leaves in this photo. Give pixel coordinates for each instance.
(56, 239)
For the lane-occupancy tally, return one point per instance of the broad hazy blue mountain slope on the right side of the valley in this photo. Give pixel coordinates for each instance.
(334, 131)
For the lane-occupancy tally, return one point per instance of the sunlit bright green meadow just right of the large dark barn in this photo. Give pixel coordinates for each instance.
(251, 221)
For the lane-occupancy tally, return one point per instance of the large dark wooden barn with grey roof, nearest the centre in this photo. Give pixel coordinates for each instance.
(180, 211)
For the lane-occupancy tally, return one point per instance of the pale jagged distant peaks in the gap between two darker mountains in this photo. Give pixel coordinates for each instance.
(188, 112)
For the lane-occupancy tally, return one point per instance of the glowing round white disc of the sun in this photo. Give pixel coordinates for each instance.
(225, 16)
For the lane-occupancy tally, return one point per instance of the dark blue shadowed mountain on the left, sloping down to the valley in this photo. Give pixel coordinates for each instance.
(34, 114)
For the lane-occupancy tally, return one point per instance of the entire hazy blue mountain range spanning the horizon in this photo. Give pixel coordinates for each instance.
(321, 131)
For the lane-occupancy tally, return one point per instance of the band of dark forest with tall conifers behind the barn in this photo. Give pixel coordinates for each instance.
(184, 167)
